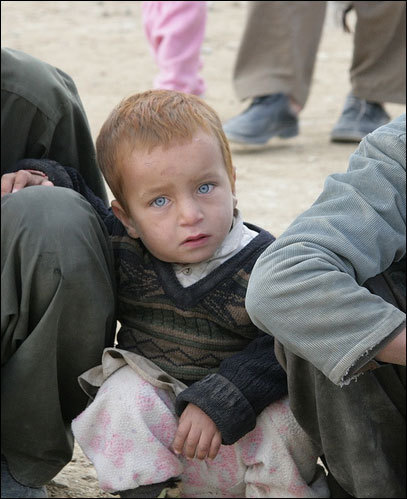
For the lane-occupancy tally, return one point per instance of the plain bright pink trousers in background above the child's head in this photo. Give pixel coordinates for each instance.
(175, 32)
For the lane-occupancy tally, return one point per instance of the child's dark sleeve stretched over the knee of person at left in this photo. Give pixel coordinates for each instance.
(65, 176)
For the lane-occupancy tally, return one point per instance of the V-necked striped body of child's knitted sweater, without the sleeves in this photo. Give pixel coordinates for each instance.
(189, 331)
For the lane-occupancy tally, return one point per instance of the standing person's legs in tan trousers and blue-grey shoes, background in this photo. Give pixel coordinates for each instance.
(276, 59)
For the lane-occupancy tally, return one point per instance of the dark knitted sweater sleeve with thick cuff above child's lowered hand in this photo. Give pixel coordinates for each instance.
(244, 385)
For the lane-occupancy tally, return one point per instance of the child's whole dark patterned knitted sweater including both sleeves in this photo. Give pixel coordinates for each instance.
(201, 334)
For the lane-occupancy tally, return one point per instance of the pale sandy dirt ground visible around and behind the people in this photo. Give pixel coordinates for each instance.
(101, 44)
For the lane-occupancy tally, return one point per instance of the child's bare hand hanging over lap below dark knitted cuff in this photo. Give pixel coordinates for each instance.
(197, 435)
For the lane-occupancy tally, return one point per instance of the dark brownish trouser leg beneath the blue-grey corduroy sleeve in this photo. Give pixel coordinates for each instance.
(360, 428)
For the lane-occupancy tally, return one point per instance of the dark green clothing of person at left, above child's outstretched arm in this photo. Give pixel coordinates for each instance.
(43, 117)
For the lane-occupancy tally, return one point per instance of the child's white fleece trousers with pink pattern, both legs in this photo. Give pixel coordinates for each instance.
(128, 429)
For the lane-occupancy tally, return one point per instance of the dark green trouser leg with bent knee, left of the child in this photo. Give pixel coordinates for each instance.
(57, 315)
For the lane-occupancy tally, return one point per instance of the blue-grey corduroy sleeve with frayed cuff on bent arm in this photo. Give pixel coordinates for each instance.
(306, 288)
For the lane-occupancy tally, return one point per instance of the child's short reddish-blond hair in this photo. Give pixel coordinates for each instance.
(151, 119)
